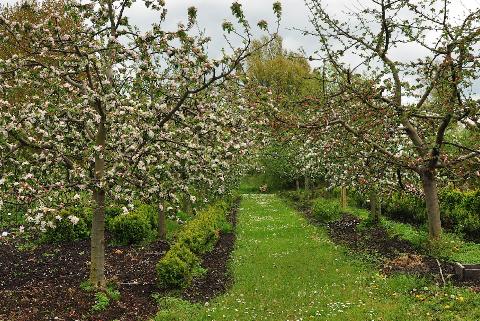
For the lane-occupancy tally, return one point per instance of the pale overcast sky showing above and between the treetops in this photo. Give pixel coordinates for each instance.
(211, 14)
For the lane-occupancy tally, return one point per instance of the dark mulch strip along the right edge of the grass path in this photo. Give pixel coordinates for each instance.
(394, 254)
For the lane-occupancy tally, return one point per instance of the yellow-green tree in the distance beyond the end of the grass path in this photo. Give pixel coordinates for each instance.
(288, 81)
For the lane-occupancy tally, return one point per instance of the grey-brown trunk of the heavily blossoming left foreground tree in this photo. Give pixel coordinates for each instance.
(97, 254)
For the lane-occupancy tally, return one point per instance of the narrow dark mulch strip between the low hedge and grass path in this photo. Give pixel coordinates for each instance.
(218, 279)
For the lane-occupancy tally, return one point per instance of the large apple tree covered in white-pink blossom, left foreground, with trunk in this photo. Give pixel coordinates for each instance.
(114, 111)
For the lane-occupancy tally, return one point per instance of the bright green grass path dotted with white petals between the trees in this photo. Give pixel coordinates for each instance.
(287, 269)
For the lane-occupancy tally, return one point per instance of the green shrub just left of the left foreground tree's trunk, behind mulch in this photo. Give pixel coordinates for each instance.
(67, 228)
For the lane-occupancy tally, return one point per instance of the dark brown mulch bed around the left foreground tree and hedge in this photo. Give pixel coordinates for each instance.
(44, 284)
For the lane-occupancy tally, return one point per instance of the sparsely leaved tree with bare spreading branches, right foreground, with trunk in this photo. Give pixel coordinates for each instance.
(391, 109)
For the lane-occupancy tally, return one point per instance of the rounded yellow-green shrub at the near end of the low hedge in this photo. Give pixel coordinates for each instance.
(178, 267)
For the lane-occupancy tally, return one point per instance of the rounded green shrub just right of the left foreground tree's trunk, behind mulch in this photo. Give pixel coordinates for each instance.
(130, 228)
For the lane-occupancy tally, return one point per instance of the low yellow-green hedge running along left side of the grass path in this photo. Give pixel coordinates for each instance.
(182, 262)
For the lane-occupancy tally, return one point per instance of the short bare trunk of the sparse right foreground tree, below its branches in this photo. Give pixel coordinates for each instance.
(429, 183)
